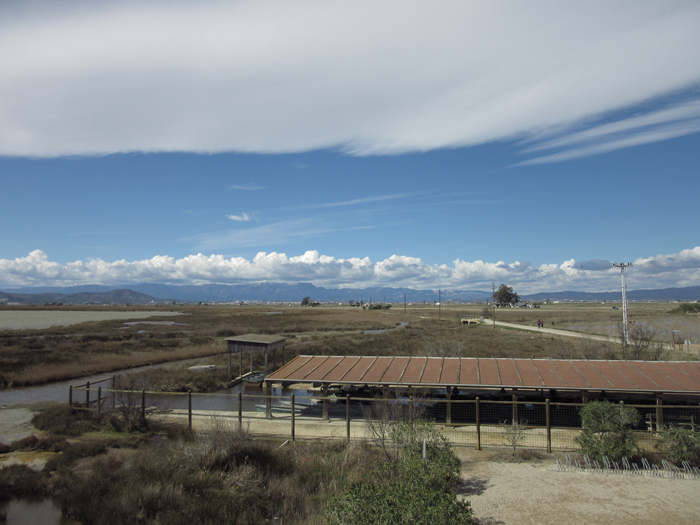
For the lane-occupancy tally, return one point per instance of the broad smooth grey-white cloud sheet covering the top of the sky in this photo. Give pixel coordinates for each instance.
(567, 80)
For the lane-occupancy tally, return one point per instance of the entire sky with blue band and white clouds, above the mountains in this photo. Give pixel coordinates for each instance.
(350, 144)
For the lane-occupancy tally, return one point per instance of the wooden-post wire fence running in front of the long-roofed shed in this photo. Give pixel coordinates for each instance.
(476, 423)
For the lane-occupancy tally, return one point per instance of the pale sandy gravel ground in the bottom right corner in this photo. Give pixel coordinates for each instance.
(528, 493)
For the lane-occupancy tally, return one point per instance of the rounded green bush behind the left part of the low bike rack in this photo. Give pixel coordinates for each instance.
(607, 431)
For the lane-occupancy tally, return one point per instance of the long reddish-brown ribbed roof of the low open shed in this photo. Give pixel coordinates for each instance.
(469, 372)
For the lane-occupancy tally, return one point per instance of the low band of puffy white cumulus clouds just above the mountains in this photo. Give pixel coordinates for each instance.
(662, 271)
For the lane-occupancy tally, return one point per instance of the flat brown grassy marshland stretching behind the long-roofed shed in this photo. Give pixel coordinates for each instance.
(36, 356)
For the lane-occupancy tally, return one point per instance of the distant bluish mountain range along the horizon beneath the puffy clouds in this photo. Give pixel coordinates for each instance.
(280, 292)
